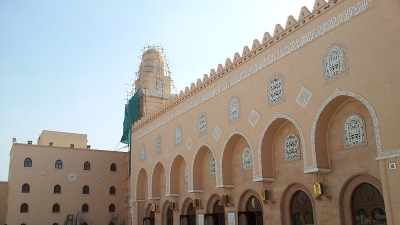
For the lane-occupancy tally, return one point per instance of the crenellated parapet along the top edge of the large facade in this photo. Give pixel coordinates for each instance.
(268, 41)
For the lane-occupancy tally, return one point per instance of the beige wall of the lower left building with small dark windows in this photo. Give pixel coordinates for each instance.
(41, 196)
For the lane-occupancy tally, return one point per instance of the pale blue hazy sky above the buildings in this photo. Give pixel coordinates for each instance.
(67, 65)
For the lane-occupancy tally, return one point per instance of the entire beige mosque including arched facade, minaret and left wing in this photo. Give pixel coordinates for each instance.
(302, 127)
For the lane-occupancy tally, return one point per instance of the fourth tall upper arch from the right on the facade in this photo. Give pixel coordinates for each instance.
(198, 163)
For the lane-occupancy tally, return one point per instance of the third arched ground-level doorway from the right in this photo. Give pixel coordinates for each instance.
(253, 213)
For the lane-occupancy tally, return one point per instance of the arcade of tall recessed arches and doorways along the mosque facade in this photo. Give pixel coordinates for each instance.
(360, 195)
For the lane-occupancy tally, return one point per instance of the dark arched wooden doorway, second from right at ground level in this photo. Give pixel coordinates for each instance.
(301, 210)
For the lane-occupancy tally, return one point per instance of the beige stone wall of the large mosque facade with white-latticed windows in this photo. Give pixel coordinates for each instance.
(369, 90)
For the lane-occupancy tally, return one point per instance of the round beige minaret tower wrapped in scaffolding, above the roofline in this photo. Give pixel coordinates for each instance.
(153, 82)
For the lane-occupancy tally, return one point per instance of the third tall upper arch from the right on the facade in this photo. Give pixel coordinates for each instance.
(226, 175)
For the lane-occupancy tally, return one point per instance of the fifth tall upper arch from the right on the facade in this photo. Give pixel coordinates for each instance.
(173, 178)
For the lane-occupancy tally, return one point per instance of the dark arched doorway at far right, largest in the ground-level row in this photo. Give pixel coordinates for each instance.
(368, 206)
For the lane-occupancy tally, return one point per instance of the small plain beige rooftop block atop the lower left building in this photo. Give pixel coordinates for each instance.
(62, 139)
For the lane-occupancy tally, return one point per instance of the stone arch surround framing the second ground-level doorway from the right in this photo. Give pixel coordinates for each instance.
(286, 200)
